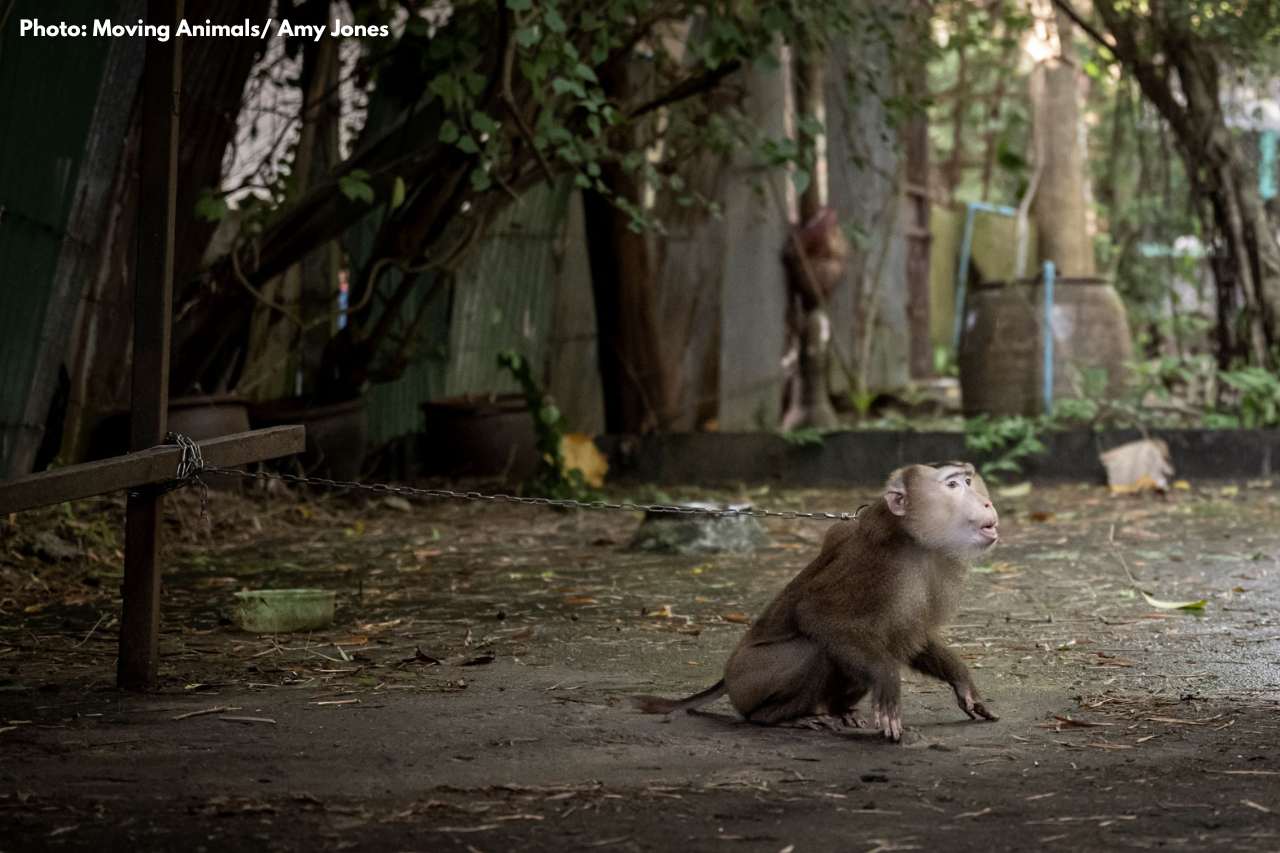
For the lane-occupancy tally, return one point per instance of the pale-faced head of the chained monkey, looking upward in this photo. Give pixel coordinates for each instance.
(944, 507)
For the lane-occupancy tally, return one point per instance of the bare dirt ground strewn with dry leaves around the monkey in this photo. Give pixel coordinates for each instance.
(472, 695)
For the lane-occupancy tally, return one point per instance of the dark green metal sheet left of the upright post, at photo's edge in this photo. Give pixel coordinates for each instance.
(58, 154)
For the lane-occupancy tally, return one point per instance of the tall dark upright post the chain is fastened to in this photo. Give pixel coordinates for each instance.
(153, 314)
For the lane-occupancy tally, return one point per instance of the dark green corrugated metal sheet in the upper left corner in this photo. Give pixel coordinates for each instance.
(47, 103)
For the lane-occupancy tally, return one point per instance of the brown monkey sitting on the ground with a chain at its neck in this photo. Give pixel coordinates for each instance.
(871, 603)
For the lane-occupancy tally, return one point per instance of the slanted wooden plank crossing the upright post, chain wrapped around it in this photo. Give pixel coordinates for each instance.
(153, 466)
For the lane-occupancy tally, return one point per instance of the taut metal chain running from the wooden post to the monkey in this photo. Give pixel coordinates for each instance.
(568, 504)
